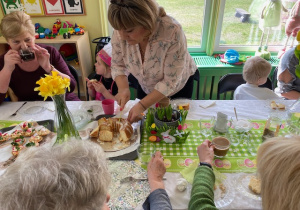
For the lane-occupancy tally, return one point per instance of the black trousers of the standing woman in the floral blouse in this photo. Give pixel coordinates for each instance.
(185, 92)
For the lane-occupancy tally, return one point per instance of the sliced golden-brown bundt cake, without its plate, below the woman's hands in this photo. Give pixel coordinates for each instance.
(108, 128)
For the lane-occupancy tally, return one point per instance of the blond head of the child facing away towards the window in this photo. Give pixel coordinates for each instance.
(256, 70)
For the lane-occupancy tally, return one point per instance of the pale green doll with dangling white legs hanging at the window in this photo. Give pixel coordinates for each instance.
(270, 20)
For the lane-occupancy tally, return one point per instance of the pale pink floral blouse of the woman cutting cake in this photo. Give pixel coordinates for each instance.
(167, 63)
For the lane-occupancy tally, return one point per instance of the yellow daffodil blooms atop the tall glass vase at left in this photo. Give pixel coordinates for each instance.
(52, 85)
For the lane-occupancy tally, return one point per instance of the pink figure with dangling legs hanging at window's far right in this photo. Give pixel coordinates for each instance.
(292, 26)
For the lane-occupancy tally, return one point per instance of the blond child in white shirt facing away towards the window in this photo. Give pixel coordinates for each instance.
(255, 72)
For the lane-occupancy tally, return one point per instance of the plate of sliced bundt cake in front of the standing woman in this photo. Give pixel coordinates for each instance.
(114, 134)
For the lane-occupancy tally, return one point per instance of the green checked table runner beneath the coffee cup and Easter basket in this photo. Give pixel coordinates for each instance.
(240, 158)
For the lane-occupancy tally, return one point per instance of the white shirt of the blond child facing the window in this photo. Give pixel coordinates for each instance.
(253, 92)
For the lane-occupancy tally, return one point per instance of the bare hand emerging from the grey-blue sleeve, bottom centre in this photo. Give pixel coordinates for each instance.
(156, 171)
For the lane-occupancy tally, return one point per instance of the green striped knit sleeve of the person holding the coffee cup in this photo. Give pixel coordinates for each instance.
(202, 196)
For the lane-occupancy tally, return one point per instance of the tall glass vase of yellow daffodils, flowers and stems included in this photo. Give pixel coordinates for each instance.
(54, 86)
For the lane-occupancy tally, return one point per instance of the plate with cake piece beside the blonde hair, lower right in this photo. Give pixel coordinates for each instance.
(249, 185)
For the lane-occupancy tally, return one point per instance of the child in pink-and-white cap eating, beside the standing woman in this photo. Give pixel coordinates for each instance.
(106, 87)
